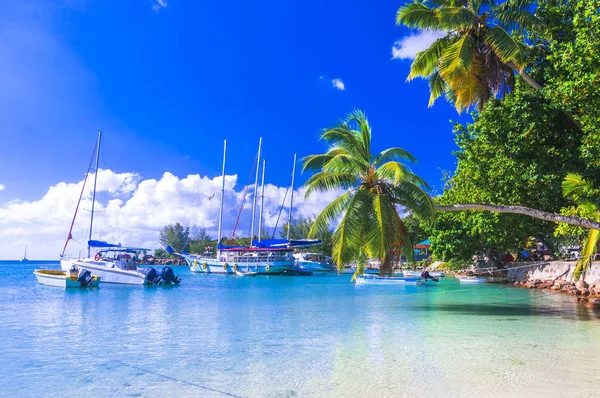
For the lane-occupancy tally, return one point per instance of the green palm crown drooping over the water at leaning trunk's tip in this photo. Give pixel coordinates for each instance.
(375, 185)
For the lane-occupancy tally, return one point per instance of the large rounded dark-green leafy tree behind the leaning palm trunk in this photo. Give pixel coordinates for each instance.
(516, 152)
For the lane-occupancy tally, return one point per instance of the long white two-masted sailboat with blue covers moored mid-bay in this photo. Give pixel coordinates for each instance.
(264, 257)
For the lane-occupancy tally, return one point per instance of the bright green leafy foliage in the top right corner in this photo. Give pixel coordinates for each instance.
(573, 56)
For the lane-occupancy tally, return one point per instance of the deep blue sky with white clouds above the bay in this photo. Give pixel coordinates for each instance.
(167, 81)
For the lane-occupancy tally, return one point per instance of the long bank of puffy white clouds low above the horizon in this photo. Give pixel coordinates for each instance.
(131, 210)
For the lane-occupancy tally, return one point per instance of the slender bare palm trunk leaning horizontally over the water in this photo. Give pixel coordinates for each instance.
(542, 215)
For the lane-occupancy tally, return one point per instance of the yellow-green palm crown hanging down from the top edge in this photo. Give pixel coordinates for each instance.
(477, 57)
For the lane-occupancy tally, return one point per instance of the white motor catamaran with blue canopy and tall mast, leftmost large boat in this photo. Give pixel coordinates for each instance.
(113, 263)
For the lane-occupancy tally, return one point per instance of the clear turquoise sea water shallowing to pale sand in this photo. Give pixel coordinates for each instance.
(219, 336)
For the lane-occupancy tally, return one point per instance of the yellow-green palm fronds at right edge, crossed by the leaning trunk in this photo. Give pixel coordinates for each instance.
(583, 193)
